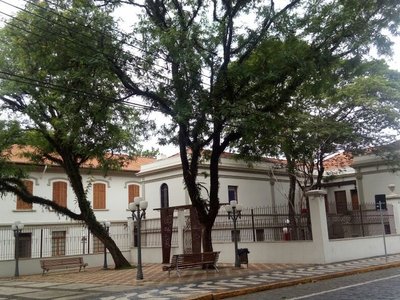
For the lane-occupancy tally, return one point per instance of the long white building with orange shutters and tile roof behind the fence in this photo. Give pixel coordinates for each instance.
(160, 182)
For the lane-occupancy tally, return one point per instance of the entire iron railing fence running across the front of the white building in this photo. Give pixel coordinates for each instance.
(258, 224)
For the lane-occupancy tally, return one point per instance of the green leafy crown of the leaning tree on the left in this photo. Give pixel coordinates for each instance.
(56, 72)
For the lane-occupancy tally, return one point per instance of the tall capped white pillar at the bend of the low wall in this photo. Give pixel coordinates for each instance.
(319, 225)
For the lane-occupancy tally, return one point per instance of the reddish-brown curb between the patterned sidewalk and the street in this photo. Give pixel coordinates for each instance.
(287, 283)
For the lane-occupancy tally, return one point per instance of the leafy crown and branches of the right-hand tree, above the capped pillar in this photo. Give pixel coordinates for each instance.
(360, 112)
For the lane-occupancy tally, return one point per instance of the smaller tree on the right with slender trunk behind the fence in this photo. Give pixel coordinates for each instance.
(359, 111)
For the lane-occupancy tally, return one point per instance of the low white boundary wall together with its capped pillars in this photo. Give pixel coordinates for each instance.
(320, 250)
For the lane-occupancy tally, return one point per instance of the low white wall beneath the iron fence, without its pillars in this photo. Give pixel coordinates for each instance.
(294, 251)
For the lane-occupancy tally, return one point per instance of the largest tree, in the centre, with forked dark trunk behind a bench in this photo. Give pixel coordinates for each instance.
(198, 66)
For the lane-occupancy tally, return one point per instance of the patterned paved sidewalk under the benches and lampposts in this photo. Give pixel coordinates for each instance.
(95, 283)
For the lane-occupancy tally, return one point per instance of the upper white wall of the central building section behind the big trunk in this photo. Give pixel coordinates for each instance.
(254, 183)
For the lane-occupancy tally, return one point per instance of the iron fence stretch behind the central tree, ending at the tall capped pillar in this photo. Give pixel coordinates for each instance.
(258, 224)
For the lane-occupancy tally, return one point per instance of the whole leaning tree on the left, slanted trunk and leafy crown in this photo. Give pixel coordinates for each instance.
(56, 82)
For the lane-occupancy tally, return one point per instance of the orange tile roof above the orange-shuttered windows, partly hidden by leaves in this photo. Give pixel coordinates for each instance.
(16, 155)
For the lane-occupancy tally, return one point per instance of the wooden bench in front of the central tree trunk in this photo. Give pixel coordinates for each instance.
(192, 260)
